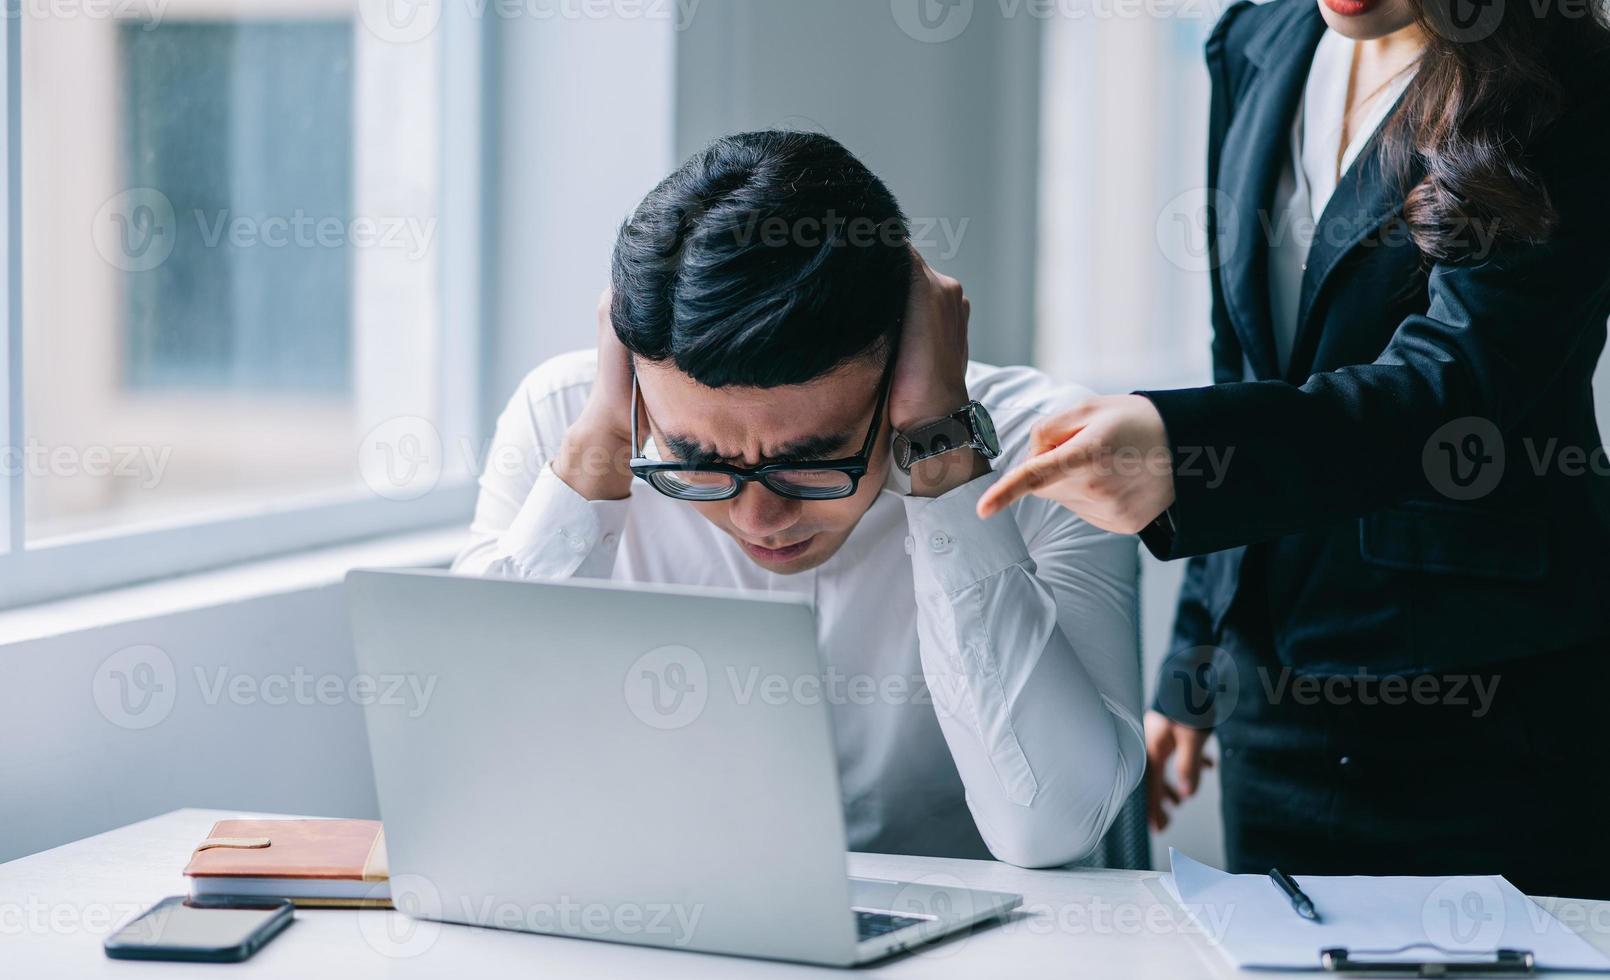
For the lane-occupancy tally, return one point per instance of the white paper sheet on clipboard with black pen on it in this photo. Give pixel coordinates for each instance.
(1421, 918)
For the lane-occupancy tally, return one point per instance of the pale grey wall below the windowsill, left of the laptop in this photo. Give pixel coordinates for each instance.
(72, 768)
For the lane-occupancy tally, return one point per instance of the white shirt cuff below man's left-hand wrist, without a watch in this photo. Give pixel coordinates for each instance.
(559, 533)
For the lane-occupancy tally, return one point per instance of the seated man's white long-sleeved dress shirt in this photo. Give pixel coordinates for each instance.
(983, 677)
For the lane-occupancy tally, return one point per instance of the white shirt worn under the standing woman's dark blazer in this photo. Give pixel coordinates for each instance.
(1311, 175)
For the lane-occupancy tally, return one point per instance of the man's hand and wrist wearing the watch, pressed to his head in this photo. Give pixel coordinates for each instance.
(931, 377)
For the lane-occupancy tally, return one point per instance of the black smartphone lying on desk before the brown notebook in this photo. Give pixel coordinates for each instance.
(202, 929)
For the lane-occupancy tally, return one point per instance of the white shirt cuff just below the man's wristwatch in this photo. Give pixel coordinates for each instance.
(952, 548)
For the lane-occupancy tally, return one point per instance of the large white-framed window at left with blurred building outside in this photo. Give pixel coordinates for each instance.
(242, 326)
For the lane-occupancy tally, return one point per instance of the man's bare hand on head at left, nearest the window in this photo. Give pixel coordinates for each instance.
(598, 448)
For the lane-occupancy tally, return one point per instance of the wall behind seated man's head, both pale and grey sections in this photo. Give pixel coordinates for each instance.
(595, 112)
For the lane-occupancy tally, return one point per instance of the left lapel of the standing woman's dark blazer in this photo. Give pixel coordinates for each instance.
(1255, 149)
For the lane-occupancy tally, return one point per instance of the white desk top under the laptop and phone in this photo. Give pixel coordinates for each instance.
(57, 907)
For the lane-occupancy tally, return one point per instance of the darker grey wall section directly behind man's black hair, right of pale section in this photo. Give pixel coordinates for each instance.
(951, 126)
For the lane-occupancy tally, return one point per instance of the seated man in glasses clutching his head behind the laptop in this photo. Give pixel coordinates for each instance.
(767, 340)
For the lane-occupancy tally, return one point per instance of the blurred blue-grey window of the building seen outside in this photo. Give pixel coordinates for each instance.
(220, 313)
